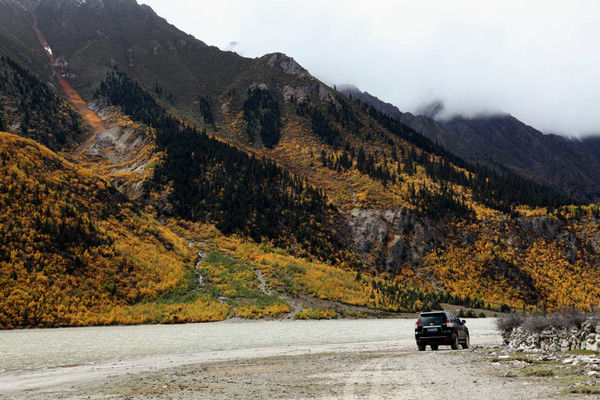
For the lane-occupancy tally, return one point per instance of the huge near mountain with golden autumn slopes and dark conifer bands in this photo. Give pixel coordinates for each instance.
(269, 190)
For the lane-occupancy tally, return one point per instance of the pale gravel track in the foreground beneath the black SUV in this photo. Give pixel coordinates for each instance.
(359, 370)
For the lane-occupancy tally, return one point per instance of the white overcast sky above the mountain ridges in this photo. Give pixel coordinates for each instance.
(538, 60)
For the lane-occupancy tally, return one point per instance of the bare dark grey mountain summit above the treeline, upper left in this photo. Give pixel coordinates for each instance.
(91, 37)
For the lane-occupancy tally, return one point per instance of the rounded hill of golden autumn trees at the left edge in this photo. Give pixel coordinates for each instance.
(73, 251)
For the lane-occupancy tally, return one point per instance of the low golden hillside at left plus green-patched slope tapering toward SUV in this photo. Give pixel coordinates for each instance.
(74, 251)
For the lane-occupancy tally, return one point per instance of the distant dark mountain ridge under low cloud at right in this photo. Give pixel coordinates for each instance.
(502, 141)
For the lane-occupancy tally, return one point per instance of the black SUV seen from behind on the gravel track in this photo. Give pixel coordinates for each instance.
(441, 328)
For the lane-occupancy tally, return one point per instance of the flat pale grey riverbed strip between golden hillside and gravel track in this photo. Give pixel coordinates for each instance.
(49, 348)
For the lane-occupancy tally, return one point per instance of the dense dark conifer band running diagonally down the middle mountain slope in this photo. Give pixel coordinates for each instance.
(210, 181)
